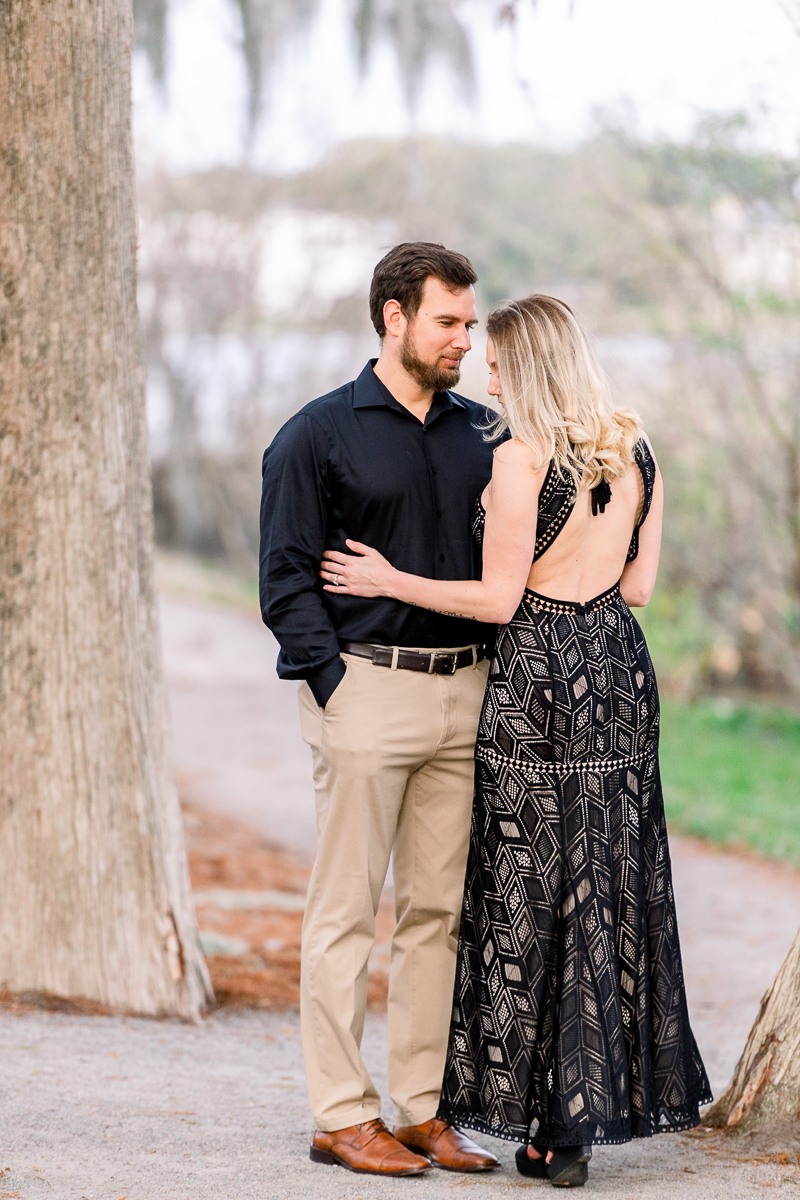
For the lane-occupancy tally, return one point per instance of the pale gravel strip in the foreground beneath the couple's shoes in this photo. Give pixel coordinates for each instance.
(111, 1108)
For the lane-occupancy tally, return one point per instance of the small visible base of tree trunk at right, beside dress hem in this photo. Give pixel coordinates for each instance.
(767, 1081)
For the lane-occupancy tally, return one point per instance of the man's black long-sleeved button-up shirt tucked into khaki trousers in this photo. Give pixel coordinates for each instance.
(358, 465)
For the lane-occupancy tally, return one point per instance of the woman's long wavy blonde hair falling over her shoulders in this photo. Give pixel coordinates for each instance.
(556, 395)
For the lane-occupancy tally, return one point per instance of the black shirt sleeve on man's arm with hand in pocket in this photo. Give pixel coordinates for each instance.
(296, 500)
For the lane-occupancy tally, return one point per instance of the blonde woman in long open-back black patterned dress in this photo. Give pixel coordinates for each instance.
(570, 1016)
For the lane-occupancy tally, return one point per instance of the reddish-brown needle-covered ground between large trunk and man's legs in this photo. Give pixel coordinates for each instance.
(227, 854)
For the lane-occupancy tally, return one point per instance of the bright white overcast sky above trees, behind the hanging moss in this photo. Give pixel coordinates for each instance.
(666, 62)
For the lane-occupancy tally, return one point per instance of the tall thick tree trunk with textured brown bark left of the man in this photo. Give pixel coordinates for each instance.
(94, 889)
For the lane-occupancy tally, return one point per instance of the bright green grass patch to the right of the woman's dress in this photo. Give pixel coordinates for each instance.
(732, 775)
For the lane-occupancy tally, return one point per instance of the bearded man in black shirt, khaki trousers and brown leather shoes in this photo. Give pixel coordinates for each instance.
(389, 706)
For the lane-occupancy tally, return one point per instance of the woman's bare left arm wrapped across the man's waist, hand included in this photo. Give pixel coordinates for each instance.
(509, 543)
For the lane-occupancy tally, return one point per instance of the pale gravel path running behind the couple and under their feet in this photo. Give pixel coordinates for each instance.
(111, 1108)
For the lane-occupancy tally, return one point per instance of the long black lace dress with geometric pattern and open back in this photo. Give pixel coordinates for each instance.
(570, 1019)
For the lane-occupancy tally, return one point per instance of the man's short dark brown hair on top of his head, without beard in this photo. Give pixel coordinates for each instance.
(402, 273)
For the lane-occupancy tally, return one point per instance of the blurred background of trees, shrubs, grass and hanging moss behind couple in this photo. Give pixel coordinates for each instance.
(683, 260)
